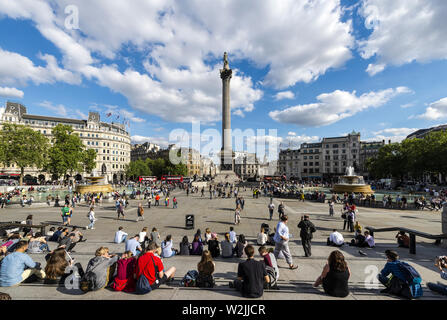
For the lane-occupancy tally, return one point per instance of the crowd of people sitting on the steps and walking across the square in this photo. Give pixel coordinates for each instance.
(140, 268)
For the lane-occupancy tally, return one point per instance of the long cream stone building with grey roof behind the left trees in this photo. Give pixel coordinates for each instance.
(111, 141)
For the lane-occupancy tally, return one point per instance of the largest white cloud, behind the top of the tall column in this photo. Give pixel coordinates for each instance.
(179, 39)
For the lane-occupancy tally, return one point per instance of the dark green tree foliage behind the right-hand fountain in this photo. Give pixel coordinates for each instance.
(412, 158)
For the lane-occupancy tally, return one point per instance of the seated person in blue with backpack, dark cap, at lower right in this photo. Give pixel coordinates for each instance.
(404, 281)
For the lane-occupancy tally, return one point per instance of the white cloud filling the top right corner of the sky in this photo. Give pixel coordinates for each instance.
(404, 31)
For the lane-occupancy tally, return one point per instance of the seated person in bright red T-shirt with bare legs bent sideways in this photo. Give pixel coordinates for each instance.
(150, 273)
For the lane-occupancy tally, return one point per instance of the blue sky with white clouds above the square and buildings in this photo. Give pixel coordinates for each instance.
(308, 69)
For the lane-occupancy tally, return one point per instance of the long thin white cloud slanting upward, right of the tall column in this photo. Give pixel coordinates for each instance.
(334, 106)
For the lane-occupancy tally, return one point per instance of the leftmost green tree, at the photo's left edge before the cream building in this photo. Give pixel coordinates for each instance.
(22, 146)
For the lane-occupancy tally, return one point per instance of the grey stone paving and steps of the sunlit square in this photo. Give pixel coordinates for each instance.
(218, 215)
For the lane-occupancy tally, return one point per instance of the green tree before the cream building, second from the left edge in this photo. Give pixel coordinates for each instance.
(68, 154)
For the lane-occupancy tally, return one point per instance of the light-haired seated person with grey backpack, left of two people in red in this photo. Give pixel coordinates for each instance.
(99, 271)
